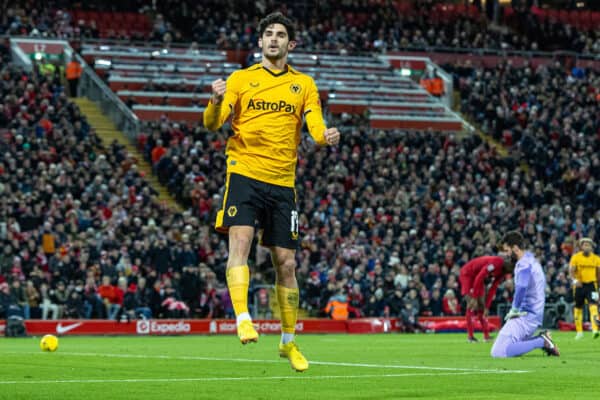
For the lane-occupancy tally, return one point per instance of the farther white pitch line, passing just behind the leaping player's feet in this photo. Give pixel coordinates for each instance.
(249, 360)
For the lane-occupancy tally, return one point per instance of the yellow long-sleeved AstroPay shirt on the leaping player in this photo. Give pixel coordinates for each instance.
(268, 108)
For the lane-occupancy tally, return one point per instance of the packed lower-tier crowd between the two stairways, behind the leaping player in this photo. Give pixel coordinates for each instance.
(388, 225)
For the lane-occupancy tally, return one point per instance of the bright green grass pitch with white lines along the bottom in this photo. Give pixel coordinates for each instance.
(393, 366)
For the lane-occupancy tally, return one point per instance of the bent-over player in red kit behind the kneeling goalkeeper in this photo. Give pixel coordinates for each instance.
(473, 277)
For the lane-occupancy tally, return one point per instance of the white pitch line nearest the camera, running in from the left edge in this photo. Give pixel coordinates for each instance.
(246, 378)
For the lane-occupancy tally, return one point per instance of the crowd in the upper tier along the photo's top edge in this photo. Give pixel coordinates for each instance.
(331, 25)
